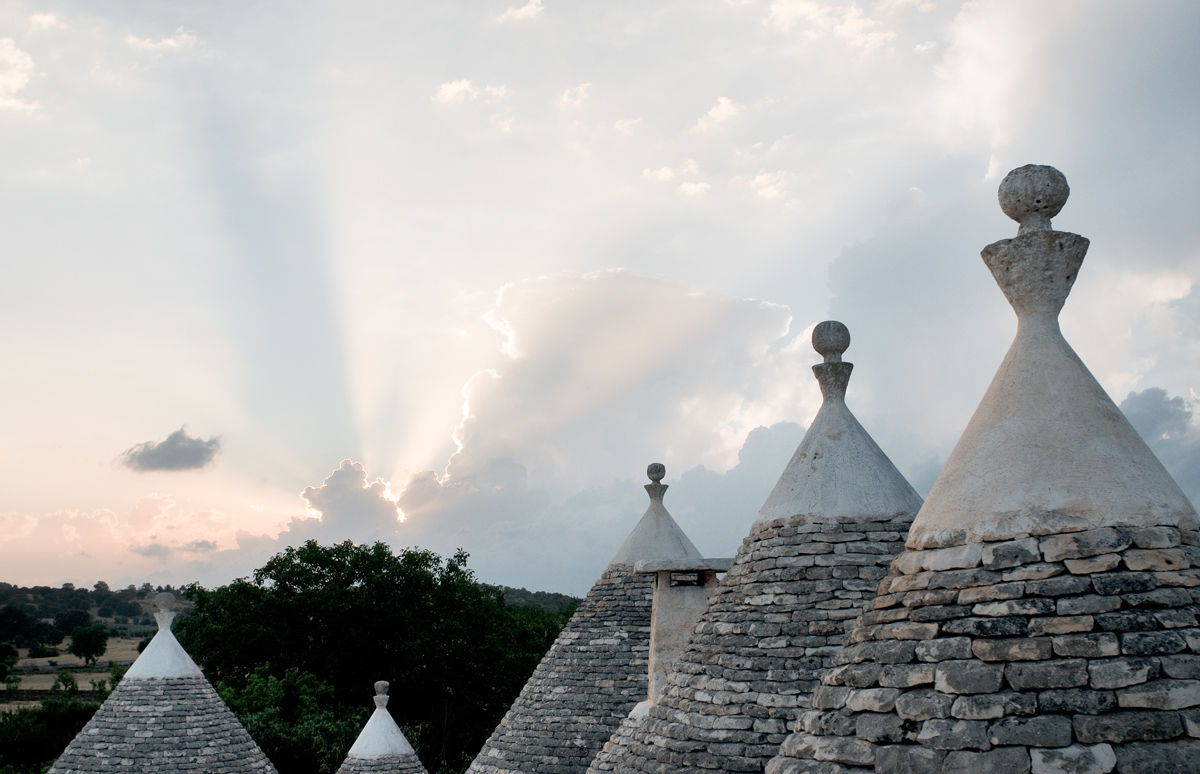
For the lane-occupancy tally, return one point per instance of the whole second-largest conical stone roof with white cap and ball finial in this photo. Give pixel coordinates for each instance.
(812, 561)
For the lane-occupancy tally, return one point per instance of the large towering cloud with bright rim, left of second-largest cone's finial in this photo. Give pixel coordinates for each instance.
(589, 361)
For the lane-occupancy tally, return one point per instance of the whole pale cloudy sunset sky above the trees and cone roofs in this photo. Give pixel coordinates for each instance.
(453, 274)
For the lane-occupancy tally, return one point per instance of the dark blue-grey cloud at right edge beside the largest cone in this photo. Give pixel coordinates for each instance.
(1166, 424)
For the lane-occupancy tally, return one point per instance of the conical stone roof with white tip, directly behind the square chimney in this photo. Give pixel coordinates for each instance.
(597, 671)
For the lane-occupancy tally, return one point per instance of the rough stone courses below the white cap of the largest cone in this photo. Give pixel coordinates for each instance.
(1076, 652)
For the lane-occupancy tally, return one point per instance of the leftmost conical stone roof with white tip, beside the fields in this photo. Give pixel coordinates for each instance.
(164, 717)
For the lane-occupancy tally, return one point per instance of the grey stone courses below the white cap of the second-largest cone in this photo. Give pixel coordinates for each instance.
(775, 623)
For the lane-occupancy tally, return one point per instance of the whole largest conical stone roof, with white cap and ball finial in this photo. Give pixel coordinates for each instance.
(1045, 615)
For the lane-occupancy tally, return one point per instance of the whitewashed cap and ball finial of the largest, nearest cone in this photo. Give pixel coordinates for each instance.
(1047, 449)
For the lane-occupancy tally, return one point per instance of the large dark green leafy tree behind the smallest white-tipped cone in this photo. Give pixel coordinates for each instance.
(455, 653)
